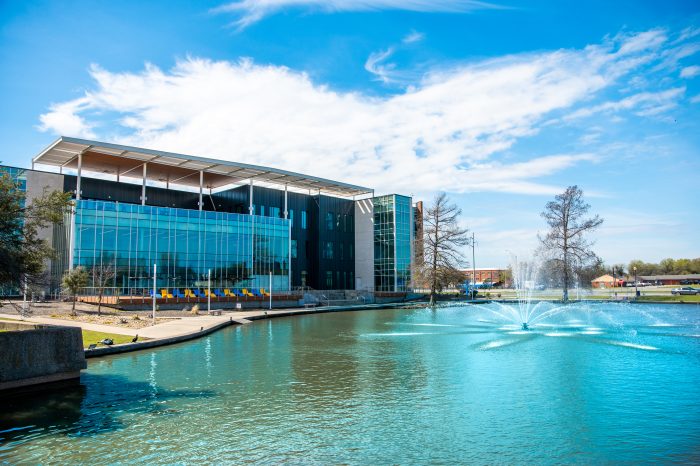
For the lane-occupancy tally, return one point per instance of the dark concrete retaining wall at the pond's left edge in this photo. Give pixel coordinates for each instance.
(33, 354)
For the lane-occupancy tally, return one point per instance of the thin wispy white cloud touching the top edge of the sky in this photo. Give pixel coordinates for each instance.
(248, 12)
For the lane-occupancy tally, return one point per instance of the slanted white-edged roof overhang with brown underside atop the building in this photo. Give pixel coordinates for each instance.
(180, 169)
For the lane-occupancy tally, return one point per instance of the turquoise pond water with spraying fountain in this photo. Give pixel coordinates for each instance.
(603, 383)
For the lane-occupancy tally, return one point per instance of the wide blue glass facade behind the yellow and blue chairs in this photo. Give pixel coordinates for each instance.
(240, 250)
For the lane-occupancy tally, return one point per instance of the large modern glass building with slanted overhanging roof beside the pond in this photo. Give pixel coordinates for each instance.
(136, 208)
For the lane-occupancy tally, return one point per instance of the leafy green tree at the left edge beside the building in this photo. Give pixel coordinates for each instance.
(23, 253)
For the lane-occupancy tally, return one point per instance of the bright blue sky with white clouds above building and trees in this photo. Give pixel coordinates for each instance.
(500, 104)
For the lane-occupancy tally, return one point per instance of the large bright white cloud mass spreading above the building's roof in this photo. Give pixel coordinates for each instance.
(443, 133)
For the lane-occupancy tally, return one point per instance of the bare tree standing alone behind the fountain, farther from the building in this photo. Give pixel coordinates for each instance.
(565, 243)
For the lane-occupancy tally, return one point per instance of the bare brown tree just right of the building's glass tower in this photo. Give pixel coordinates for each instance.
(442, 242)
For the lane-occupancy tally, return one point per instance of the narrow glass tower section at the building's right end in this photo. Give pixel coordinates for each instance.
(393, 237)
